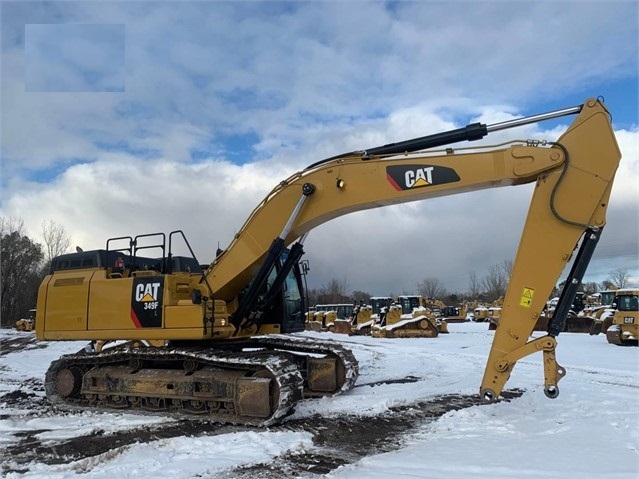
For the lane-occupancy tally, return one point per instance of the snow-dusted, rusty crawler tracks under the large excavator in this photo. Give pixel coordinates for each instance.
(255, 383)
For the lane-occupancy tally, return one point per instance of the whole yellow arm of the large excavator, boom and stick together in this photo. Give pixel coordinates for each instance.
(573, 176)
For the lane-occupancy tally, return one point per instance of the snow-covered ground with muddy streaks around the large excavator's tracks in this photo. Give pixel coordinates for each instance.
(590, 431)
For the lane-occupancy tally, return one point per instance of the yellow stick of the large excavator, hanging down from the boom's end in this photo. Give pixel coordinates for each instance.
(567, 202)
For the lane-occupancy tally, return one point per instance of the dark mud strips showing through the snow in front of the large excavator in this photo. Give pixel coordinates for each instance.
(337, 440)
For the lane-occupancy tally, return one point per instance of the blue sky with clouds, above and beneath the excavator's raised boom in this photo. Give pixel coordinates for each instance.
(127, 118)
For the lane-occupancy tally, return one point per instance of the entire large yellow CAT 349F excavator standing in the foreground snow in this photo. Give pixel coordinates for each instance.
(169, 336)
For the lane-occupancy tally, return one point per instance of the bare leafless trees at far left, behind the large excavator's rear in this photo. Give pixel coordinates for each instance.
(24, 263)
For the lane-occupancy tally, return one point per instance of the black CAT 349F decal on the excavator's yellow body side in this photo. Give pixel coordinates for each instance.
(146, 302)
